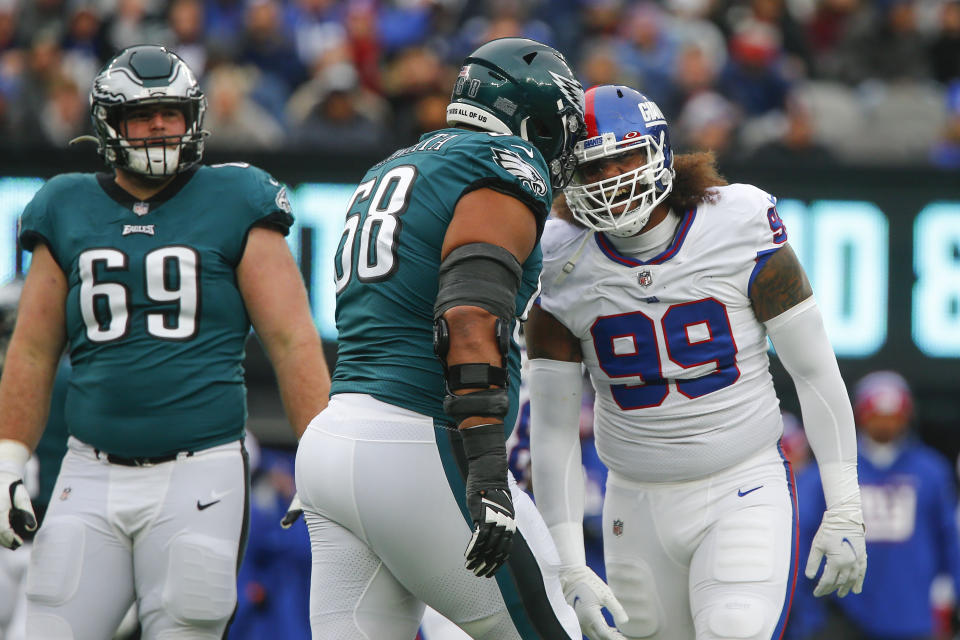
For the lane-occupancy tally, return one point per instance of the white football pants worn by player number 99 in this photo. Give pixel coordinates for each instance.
(710, 559)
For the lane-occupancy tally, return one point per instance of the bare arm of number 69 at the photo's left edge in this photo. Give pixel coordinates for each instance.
(34, 352)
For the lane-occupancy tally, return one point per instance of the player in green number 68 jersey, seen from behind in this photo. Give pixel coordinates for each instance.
(406, 468)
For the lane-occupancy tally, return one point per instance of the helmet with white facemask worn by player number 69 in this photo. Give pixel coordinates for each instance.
(140, 76)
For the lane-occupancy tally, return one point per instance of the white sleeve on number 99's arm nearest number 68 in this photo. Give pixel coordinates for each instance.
(558, 483)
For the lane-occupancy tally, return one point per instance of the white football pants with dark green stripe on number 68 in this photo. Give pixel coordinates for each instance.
(384, 501)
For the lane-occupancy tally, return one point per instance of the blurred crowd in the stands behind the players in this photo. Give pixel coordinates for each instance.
(822, 81)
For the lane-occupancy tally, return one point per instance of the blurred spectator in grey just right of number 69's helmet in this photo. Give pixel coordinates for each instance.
(239, 122)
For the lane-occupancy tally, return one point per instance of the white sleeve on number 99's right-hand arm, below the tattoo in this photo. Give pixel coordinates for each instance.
(801, 342)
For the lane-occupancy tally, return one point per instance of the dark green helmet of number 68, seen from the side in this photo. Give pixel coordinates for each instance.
(524, 88)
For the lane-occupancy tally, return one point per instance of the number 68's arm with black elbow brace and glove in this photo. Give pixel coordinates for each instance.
(489, 237)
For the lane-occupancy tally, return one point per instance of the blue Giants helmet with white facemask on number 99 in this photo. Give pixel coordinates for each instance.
(621, 120)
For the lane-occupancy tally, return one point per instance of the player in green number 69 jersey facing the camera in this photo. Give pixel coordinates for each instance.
(151, 276)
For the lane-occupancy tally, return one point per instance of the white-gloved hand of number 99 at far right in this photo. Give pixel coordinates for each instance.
(840, 539)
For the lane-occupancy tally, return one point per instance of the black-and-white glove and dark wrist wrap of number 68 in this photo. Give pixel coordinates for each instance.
(488, 499)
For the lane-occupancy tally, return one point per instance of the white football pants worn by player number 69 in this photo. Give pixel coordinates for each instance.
(167, 535)
